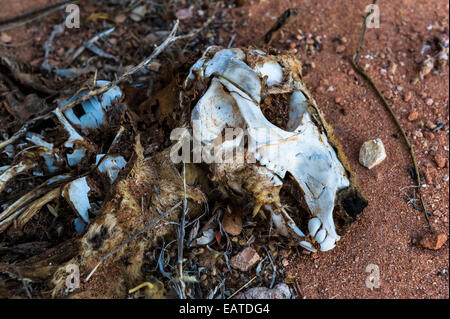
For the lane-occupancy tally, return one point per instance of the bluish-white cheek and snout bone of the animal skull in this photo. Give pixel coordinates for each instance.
(304, 153)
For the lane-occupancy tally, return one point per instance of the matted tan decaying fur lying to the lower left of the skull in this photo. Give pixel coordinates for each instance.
(151, 184)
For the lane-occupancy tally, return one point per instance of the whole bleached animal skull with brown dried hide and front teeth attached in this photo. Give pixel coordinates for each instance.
(239, 82)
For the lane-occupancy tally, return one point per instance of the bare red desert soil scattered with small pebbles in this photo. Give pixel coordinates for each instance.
(386, 233)
